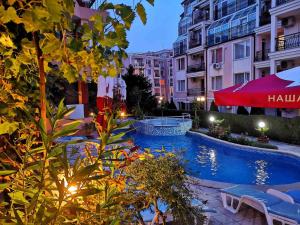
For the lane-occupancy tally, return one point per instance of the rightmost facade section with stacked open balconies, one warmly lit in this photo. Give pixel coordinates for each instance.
(277, 45)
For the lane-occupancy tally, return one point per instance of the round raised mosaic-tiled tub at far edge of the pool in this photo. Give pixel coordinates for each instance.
(164, 126)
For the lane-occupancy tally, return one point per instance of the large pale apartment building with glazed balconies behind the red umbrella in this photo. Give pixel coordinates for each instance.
(225, 42)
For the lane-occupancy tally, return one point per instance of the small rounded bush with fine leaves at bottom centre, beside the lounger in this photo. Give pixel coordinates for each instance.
(162, 179)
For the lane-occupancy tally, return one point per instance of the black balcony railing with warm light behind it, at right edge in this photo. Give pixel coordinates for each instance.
(288, 42)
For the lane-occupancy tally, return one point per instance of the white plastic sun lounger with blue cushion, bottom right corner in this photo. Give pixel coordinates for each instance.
(277, 206)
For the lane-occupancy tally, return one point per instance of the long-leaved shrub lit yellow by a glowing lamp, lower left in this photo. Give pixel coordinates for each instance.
(53, 184)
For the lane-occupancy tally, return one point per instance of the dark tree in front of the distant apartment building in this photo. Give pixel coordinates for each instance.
(139, 93)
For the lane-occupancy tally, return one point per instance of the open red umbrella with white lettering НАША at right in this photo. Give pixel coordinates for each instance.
(281, 90)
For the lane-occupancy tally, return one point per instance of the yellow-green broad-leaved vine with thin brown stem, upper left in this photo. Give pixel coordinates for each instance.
(46, 35)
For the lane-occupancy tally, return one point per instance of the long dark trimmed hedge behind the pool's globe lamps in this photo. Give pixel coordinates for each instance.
(281, 129)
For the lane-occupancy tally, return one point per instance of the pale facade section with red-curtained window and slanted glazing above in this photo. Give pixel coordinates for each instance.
(230, 46)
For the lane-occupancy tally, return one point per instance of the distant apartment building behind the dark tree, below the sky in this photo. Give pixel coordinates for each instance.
(157, 67)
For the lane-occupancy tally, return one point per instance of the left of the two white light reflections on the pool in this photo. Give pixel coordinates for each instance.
(208, 156)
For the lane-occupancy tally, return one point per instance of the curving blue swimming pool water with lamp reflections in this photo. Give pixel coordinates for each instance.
(207, 159)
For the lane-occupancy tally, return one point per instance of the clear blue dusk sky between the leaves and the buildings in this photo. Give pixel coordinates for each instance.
(161, 29)
